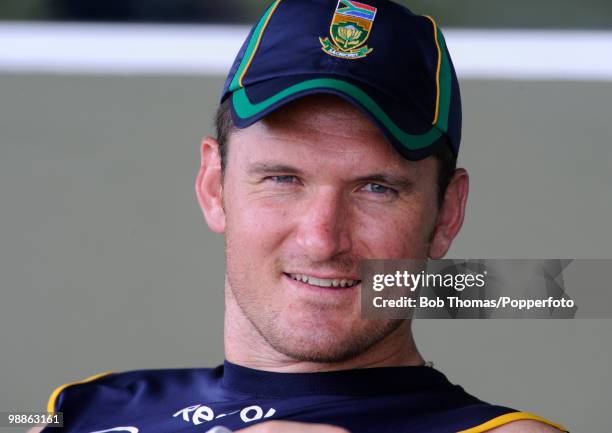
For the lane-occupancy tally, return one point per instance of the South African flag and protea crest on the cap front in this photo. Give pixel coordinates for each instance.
(349, 30)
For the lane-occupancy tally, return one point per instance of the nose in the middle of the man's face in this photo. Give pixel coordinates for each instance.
(323, 231)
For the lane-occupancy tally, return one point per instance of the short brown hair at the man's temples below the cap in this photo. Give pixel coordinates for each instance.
(447, 161)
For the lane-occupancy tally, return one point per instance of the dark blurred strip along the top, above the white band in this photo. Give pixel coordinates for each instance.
(549, 14)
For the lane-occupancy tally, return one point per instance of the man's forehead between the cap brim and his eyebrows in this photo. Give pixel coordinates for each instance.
(321, 129)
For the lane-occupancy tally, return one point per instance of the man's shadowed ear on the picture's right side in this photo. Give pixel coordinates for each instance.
(450, 217)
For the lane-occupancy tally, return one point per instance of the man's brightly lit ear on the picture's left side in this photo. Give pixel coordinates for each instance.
(209, 185)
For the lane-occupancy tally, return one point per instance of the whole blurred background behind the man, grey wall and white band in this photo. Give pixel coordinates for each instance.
(107, 264)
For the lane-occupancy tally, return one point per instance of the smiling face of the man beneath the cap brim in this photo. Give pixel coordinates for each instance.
(307, 194)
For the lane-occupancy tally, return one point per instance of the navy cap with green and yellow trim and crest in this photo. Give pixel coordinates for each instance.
(390, 63)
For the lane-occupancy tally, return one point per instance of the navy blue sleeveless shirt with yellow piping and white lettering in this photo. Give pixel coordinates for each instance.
(382, 400)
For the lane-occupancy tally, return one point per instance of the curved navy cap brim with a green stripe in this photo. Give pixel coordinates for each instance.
(412, 137)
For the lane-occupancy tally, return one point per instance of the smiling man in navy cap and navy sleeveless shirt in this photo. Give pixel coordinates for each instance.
(336, 143)
